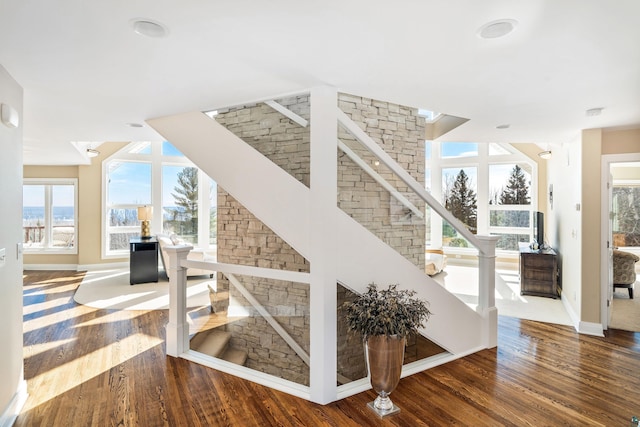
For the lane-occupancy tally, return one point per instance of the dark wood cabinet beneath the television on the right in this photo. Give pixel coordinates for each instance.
(538, 272)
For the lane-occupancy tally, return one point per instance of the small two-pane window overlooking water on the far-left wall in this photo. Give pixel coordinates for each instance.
(49, 215)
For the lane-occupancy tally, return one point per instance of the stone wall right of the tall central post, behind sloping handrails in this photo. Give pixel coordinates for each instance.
(400, 132)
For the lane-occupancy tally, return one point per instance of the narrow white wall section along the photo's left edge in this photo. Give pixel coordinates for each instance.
(12, 386)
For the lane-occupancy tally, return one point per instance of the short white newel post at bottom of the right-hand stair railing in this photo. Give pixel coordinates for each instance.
(487, 292)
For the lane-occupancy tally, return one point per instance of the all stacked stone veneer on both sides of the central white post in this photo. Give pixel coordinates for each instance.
(244, 239)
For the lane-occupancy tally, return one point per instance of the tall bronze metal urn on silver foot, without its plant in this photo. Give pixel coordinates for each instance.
(385, 356)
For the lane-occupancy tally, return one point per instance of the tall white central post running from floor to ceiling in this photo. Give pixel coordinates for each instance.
(323, 286)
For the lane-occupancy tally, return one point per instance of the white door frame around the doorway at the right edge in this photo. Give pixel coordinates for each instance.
(605, 207)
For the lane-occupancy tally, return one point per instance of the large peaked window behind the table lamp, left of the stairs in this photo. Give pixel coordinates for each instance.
(159, 175)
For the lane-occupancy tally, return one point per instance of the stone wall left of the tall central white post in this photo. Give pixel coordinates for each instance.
(243, 239)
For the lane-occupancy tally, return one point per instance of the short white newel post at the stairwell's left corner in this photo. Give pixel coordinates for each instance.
(178, 327)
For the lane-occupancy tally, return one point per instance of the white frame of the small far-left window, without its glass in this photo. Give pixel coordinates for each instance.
(48, 216)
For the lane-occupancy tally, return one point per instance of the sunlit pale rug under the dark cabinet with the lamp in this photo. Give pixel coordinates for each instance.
(111, 289)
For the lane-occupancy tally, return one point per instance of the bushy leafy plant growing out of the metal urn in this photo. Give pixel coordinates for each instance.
(387, 312)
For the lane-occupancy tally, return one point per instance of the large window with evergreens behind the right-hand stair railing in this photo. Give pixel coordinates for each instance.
(489, 187)
